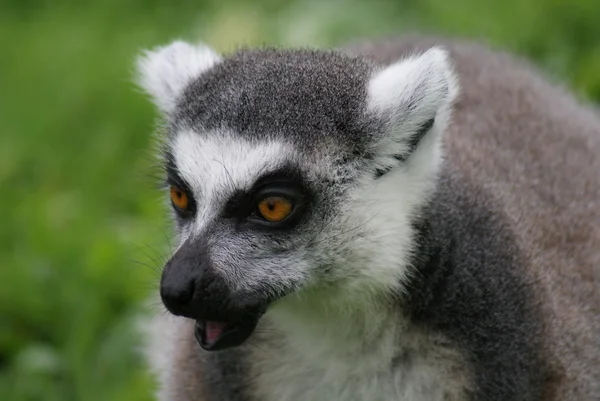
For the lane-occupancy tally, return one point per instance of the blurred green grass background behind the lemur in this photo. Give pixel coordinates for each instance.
(82, 228)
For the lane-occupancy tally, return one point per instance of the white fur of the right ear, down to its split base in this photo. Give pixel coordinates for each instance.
(407, 94)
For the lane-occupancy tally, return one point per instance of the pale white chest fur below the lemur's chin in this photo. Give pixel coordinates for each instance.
(389, 361)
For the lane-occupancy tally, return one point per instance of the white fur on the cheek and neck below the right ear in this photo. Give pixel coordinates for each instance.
(386, 208)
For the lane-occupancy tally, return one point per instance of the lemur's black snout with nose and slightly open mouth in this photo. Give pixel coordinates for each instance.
(191, 288)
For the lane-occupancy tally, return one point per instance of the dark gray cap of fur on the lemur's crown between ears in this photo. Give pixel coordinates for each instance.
(266, 92)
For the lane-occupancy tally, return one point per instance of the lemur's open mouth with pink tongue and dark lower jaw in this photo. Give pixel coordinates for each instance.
(213, 336)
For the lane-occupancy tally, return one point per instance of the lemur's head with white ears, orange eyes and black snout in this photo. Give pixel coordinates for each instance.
(291, 173)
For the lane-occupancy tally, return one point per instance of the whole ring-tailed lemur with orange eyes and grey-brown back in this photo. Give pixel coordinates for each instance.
(411, 219)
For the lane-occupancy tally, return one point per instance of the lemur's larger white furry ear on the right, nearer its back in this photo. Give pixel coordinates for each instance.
(412, 96)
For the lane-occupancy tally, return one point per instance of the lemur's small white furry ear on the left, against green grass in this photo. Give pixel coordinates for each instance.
(164, 72)
